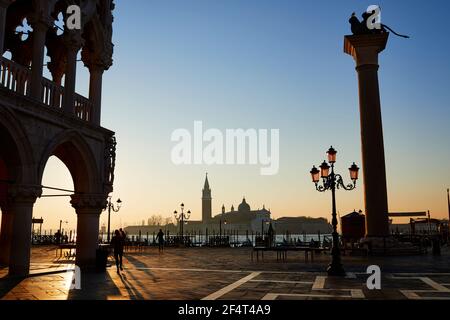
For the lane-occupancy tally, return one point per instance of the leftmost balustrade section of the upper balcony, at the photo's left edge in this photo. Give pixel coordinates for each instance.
(14, 76)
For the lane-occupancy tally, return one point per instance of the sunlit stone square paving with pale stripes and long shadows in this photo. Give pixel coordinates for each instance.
(215, 274)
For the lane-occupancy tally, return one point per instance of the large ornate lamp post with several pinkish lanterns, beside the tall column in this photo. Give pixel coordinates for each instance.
(332, 181)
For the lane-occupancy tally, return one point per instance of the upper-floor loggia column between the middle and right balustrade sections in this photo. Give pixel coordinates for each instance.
(73, 42)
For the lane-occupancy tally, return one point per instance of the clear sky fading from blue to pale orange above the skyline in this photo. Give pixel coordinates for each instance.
(267, 64)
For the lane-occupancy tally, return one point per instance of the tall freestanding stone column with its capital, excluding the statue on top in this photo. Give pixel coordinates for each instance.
(365, 49)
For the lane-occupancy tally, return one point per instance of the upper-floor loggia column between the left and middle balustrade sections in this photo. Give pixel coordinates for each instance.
(40, 28)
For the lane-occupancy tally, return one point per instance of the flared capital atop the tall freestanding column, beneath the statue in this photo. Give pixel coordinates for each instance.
(365, 48)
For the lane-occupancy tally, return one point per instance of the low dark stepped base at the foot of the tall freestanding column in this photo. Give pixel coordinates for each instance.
(389, 246)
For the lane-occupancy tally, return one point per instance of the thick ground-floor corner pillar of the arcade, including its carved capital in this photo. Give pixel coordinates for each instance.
(88, 208)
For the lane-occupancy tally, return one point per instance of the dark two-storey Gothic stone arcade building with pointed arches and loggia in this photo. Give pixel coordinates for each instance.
(40, 118)
